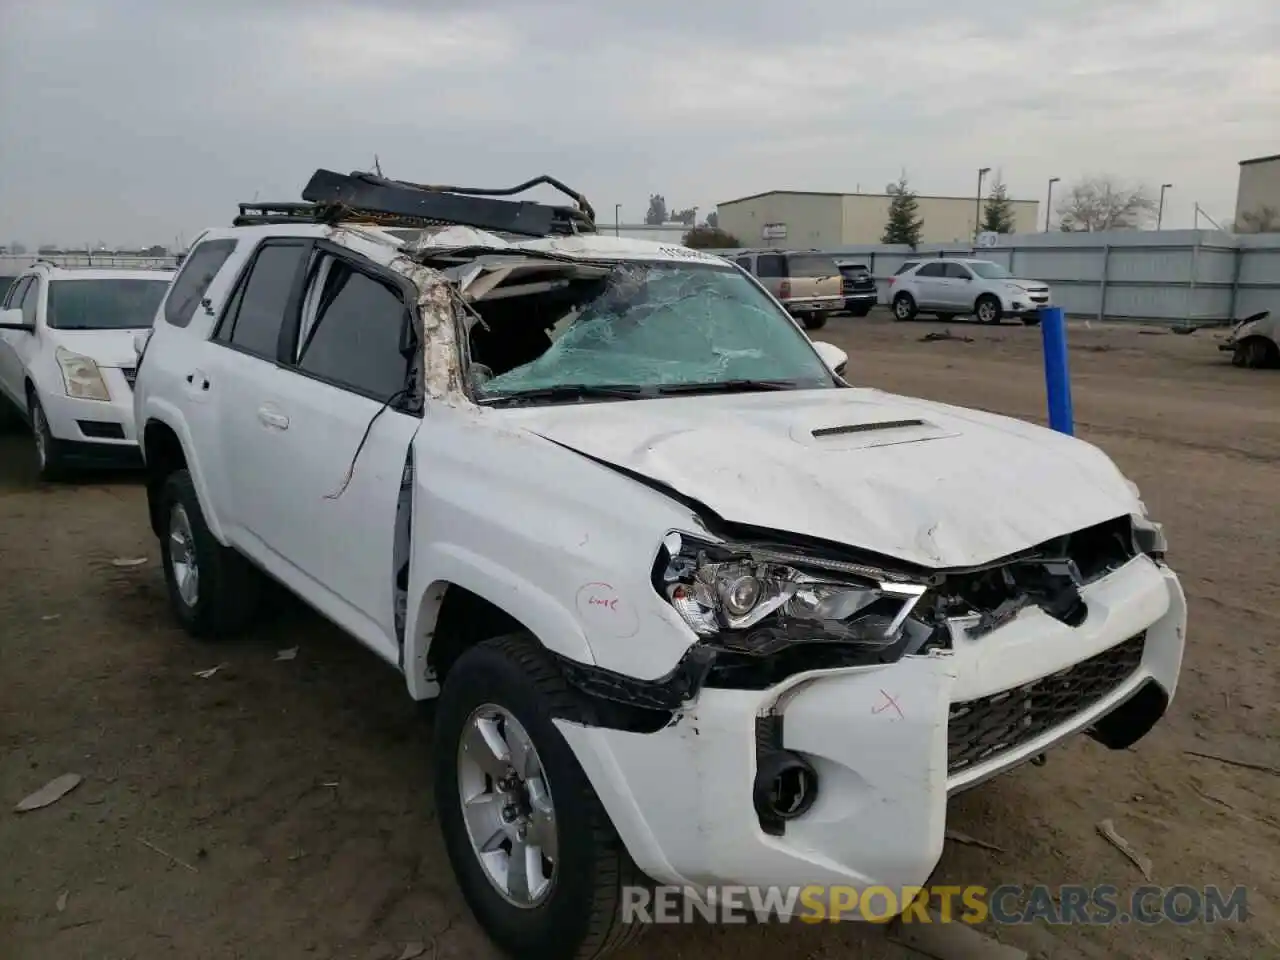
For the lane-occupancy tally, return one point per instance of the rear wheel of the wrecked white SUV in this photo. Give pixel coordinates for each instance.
(220, 595)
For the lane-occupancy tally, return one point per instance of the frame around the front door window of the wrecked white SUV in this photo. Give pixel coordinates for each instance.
(412, 404)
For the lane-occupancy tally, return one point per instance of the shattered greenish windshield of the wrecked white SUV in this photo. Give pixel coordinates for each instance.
(641, 327)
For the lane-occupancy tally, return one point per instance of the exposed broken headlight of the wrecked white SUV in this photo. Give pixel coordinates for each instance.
(758, 601)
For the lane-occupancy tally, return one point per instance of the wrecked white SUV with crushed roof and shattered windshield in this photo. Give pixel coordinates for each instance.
(694, 609)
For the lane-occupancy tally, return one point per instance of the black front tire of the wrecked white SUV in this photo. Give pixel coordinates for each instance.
(580, 915)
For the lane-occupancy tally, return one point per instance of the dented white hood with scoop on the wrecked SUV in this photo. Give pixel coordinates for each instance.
(962, 488)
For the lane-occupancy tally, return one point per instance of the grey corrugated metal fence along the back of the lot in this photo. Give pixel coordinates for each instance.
(1168, 276)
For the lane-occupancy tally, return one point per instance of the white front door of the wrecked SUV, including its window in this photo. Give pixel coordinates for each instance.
(336, 438)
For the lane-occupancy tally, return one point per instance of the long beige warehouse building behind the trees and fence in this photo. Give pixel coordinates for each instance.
(785, 218)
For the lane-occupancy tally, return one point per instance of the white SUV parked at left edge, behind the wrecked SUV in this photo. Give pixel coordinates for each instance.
(67, 360)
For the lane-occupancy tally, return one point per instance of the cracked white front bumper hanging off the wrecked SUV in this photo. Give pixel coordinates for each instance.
(877, 739)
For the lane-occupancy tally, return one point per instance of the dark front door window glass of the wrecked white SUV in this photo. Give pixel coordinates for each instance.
(355, 340)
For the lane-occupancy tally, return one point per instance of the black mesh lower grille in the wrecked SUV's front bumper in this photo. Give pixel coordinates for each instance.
(981, 730)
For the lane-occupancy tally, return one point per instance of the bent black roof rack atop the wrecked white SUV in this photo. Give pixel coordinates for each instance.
(365, 198)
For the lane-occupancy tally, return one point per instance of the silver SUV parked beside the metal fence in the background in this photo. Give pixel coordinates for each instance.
(964, 287)
